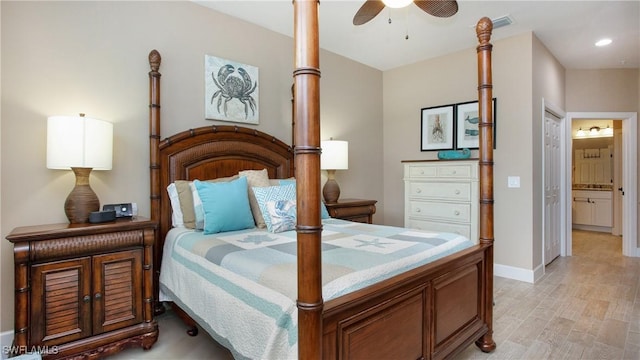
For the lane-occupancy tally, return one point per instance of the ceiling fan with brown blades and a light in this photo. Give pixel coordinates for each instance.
(371, 8)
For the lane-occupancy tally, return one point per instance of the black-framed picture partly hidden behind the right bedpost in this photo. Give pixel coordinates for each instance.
(467, 120)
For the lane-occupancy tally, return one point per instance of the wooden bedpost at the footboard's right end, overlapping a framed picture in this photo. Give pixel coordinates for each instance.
(485, 95)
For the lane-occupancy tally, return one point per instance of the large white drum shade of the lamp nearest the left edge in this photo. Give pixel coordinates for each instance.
(78, 141)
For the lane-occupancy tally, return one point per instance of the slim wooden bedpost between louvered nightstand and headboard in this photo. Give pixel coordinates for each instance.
(154, 165)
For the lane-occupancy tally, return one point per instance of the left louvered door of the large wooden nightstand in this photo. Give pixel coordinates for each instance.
(61, 306)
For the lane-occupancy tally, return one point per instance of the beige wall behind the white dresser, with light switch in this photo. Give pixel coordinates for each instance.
(410, 88)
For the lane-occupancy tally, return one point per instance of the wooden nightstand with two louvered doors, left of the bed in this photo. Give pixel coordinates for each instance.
(84, 290)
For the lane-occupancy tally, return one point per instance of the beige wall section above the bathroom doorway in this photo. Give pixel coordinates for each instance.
(608, 90)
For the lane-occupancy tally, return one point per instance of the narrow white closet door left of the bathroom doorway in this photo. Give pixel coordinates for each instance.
(552, 174)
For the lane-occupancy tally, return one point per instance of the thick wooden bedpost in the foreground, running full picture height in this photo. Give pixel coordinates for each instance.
(307, 160)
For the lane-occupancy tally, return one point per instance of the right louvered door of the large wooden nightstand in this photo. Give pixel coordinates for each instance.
(117, 298)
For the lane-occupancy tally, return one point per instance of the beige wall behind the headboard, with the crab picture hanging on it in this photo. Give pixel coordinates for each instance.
(91, 57)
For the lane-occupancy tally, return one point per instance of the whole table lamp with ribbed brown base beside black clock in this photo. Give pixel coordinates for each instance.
(81, 144)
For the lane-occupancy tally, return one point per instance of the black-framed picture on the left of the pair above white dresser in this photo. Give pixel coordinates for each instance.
(437, 128)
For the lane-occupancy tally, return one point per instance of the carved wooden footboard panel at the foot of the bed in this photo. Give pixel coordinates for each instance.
(433, 312)
